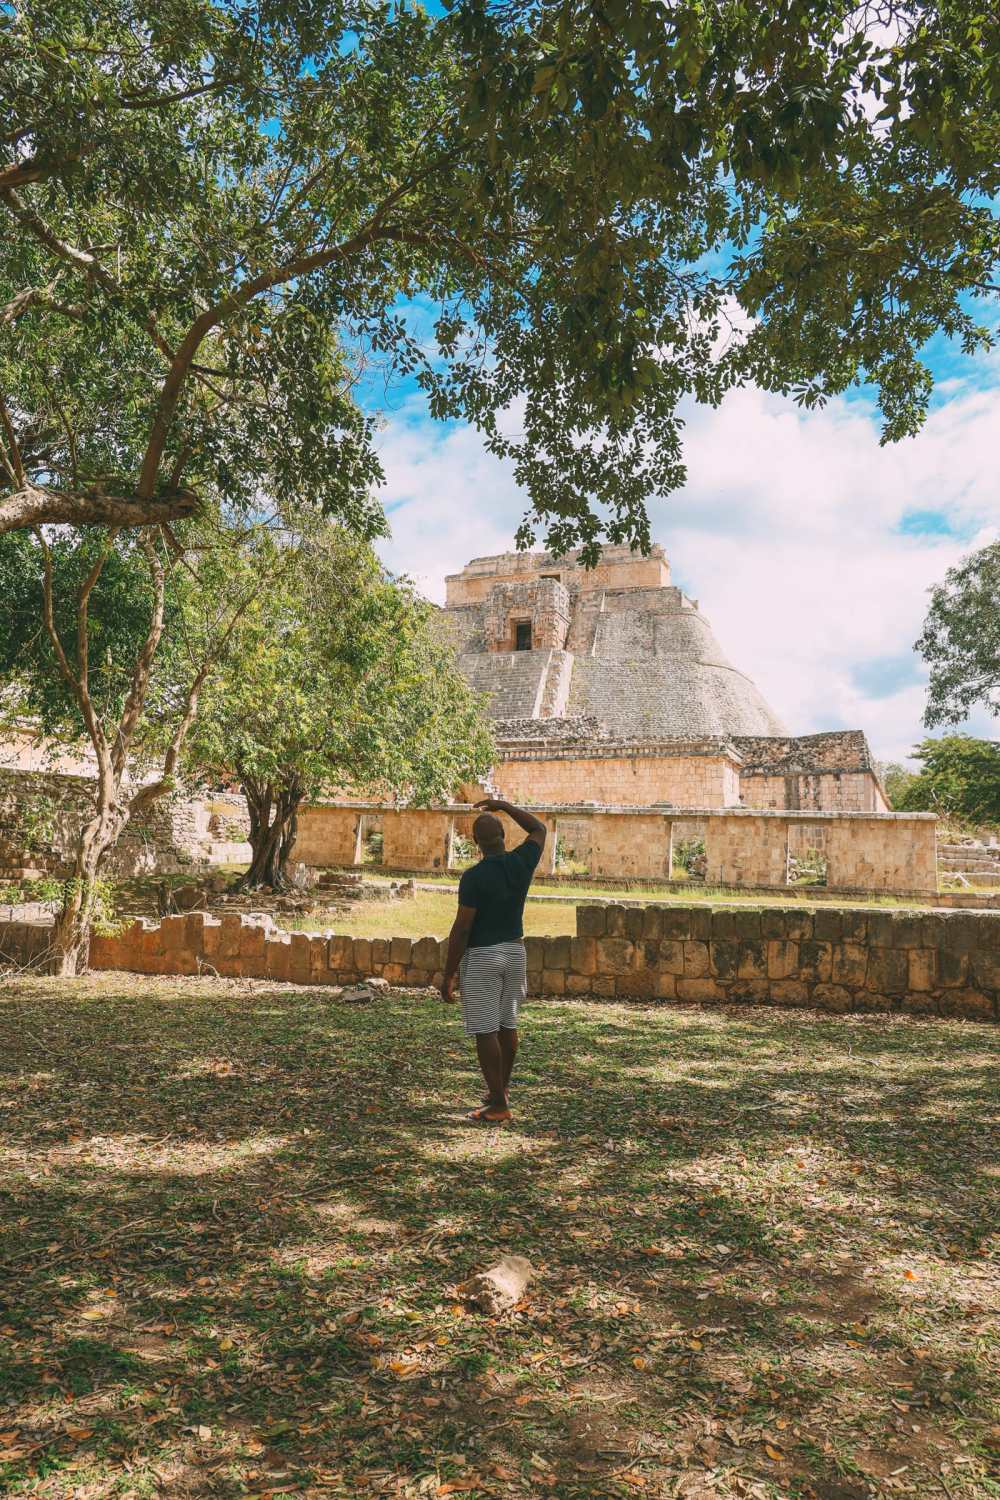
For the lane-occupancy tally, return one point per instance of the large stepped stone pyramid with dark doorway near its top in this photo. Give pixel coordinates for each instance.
(609, 686)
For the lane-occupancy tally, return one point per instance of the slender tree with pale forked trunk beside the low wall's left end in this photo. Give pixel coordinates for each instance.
(82, 622)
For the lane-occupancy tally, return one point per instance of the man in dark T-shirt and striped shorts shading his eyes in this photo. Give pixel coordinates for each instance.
(487, 947)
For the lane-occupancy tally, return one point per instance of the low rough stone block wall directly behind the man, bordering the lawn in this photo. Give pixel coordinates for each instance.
(936, 964)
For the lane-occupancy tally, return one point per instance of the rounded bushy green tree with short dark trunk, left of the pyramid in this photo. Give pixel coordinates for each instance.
(340, 679)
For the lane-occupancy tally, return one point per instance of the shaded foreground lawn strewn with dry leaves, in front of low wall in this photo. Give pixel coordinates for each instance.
(235, 1216)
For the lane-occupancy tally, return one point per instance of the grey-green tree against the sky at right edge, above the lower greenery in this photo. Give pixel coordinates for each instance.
(962, 640)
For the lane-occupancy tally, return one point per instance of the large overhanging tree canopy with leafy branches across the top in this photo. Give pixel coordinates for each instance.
(611, 208)
